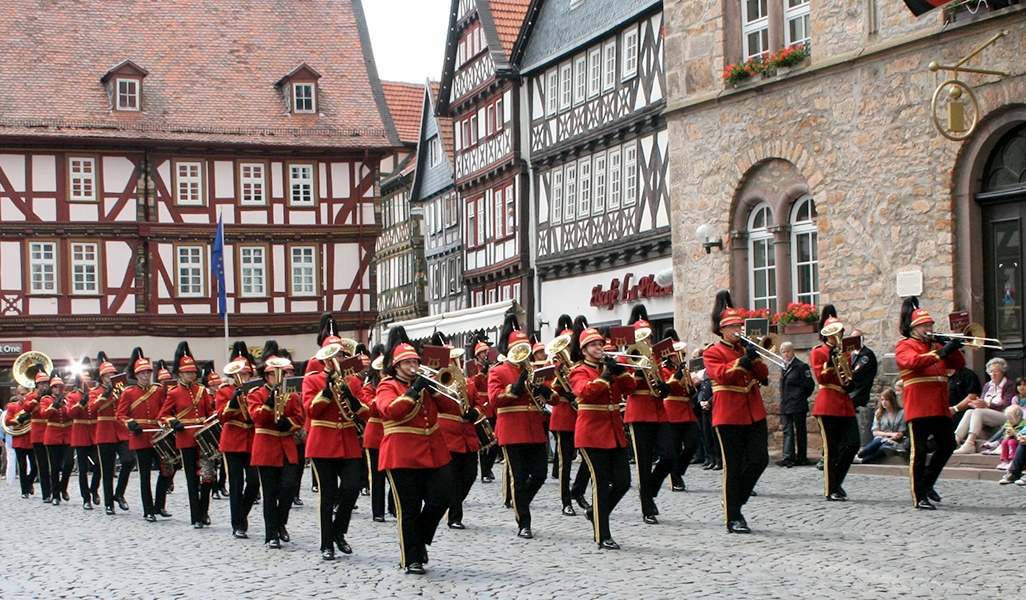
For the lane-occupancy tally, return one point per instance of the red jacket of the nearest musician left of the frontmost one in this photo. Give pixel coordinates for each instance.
(332, 436)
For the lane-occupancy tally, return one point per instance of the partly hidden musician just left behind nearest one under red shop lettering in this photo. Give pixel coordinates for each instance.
(564, 422)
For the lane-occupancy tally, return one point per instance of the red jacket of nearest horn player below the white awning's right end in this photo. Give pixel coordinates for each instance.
(518, 419)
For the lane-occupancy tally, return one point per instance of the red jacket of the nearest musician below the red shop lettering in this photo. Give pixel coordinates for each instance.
(600, 424)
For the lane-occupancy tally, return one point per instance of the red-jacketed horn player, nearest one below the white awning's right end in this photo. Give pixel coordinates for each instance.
(519, 423)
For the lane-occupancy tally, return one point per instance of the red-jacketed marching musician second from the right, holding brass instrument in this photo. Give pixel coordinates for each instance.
(834, 410)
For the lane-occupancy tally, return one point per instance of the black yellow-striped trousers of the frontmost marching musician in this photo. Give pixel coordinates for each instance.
(422, 497)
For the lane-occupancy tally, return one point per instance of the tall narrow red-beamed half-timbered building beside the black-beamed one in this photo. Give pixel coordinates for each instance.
(481, 93)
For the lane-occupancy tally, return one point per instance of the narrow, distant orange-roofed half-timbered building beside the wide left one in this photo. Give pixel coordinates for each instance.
(400, 252)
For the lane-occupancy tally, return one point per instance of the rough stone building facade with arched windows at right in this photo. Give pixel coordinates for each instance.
(850, 136)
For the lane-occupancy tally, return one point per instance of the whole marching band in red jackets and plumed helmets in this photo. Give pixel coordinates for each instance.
(425, 422)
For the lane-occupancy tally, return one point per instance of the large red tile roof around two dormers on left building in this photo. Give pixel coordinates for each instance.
(212, 68)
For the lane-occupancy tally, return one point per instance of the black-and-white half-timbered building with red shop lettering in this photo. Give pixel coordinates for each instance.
(596, 88)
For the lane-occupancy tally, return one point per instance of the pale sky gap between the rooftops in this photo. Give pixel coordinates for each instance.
(409, 38)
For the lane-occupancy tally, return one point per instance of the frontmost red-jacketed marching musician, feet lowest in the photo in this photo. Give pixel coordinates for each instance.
(413, 451)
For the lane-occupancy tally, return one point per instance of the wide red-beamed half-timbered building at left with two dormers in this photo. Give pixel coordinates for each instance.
(129, 129)
